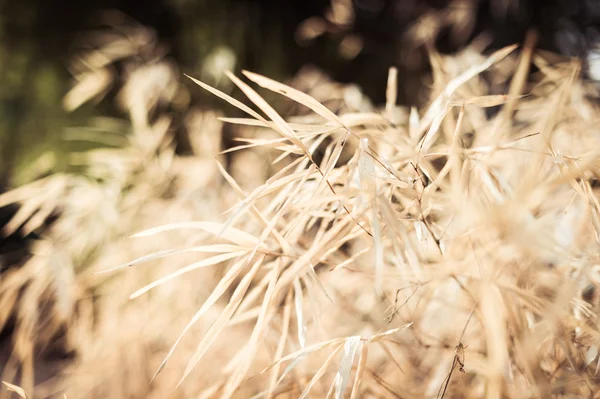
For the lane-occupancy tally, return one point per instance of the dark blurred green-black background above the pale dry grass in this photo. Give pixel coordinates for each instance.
(349, 40)
